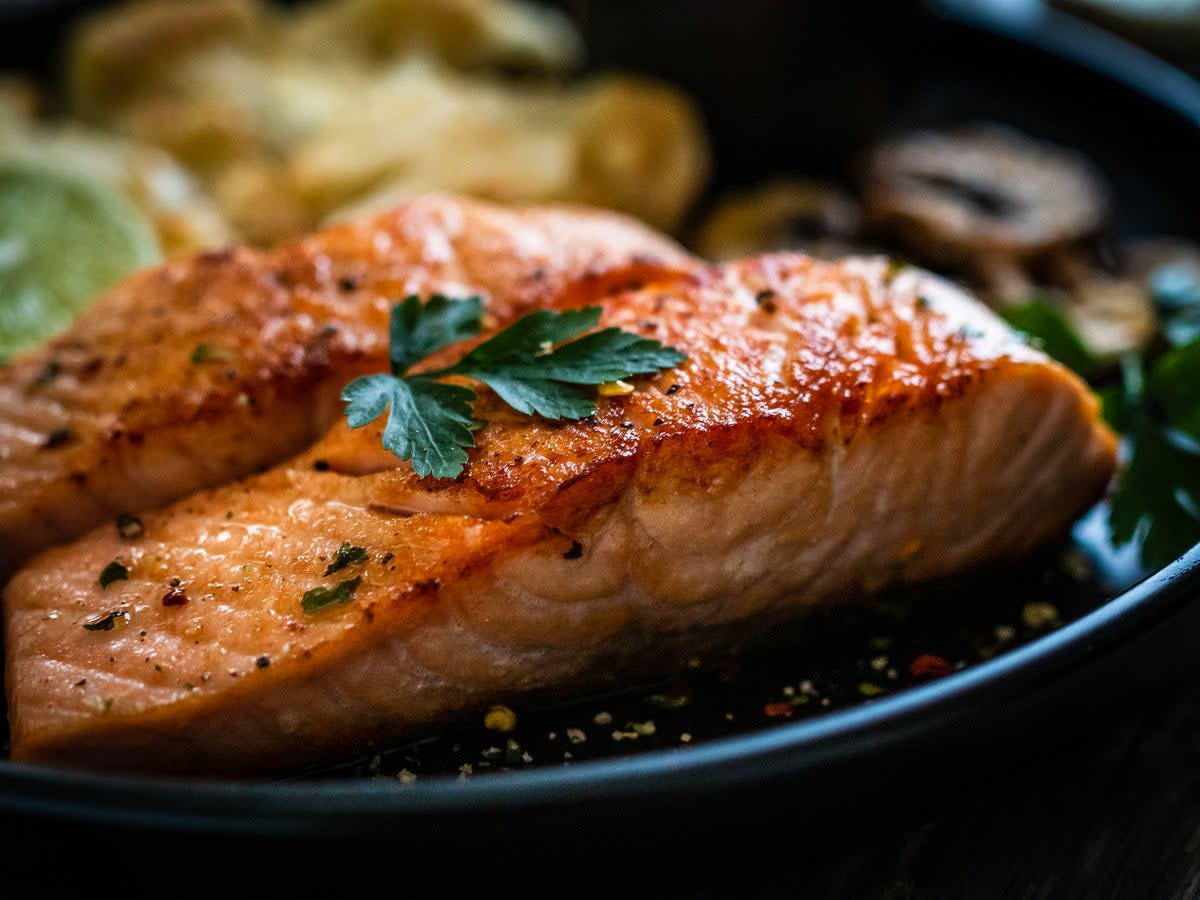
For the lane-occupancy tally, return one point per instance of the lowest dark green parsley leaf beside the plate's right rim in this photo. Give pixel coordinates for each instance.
(1157, 500)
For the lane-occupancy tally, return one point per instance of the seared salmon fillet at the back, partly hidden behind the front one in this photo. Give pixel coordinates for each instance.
(206, 370)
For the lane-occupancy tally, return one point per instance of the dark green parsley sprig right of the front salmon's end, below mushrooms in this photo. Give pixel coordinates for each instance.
(1153, 399)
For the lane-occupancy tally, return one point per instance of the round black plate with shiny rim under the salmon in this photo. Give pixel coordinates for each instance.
(795, 88)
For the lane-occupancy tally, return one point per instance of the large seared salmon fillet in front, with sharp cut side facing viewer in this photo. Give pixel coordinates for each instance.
(837, 429)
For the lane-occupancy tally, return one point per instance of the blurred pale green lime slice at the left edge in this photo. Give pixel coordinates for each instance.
(63, 242)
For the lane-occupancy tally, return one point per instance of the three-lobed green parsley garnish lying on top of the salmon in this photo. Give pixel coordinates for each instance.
(536, 365)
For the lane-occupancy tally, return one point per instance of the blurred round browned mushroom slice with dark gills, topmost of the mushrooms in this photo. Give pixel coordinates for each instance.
(983, 199)
